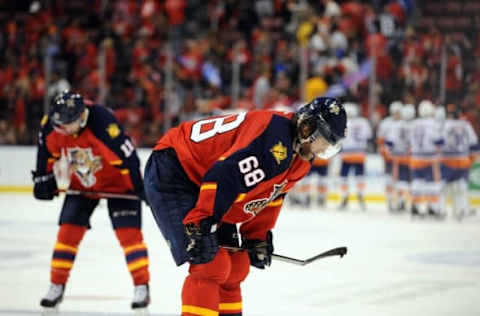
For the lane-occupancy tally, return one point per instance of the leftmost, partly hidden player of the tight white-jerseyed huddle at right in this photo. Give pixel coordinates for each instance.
(382, 132)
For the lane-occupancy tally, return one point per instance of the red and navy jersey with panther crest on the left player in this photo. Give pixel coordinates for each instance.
(101, 156)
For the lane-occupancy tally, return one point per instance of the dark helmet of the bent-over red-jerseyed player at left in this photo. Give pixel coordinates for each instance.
(66, 108)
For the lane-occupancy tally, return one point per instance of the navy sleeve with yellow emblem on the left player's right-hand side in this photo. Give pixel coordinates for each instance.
(107, 129)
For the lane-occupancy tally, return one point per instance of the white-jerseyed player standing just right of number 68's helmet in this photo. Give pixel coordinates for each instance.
(353, 154)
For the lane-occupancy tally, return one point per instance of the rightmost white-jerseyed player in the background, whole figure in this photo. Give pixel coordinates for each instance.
(458, 154)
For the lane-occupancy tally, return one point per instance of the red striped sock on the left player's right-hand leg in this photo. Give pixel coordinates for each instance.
(131, 240)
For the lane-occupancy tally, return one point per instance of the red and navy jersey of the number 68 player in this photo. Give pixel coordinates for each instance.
(243, 163)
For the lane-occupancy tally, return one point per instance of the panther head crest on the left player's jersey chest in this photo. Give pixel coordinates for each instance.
(84, 165)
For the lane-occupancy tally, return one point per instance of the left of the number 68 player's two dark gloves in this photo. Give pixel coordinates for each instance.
(202, 241)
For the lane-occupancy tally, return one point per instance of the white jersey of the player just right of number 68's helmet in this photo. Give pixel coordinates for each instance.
(354, 145)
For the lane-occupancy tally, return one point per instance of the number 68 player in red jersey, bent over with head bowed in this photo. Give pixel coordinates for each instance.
(205, 177)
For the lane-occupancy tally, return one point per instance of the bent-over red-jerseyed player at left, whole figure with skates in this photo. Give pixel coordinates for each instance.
(101, 158)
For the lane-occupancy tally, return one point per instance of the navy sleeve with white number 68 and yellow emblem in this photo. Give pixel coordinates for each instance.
(267, 156)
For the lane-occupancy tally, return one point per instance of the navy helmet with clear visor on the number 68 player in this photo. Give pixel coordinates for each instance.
(323, 117)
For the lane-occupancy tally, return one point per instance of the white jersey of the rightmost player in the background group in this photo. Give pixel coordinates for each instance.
(460, 143)
